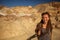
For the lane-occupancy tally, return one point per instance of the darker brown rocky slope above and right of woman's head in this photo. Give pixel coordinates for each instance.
(53, 8)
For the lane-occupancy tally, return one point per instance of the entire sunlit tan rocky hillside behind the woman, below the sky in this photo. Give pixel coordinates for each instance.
(19, 23)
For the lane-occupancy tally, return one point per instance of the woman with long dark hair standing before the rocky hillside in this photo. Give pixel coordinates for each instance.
(44, 27)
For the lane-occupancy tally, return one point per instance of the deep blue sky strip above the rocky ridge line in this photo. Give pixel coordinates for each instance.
(23, 2)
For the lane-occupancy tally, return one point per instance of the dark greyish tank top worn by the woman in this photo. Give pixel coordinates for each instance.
(44, 35)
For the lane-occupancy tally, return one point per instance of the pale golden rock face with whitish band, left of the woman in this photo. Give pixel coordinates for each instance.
(18, 23)
